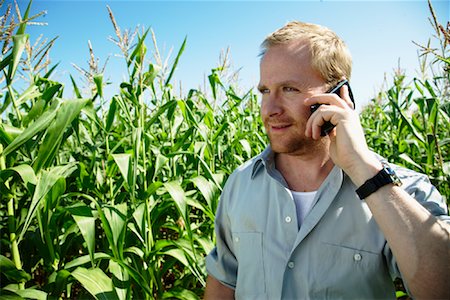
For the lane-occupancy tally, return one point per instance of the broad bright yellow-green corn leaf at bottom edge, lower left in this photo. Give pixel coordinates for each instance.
(96, 283)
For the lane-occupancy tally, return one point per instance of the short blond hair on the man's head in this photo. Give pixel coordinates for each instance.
(330, 56)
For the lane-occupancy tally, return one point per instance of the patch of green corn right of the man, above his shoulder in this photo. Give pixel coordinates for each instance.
(409, 123)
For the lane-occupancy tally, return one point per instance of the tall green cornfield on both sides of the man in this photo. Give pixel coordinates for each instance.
(114, 197)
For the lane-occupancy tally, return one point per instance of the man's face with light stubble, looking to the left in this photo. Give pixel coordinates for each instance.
(286, 80)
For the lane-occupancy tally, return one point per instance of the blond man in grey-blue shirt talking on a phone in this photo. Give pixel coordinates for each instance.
(290, 222)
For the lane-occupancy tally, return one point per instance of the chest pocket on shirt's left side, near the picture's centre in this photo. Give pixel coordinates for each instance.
(249, 254)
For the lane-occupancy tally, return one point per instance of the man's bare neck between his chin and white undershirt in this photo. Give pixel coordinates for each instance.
(304, 173)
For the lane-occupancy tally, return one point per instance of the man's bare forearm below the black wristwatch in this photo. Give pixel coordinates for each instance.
(418, 240)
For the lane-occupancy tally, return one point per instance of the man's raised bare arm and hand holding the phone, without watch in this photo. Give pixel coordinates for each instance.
(419, 241)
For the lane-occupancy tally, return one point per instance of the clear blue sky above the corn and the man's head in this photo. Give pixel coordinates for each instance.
(378, 33)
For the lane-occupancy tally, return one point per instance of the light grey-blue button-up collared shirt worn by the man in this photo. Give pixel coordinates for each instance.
(338, 253)
